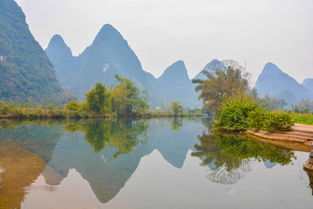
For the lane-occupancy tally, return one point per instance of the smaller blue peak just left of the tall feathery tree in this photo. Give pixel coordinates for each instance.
(175, 85)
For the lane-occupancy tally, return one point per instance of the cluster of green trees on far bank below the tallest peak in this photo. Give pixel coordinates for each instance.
(123, 99)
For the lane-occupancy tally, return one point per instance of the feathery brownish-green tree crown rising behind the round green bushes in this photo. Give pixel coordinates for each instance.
(222, 84)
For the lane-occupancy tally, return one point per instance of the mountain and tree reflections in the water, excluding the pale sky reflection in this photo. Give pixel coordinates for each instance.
(107, 153)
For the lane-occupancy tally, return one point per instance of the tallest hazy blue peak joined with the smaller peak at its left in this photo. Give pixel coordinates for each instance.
(108, 55)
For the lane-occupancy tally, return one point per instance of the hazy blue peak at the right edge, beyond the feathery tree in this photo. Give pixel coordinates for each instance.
(273, 82)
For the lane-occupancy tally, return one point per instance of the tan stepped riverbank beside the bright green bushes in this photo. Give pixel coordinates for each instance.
(299, 133)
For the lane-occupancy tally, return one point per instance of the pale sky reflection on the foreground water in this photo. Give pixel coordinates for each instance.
(158, 184)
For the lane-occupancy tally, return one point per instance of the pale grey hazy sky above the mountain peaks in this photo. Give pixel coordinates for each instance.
(161, 32)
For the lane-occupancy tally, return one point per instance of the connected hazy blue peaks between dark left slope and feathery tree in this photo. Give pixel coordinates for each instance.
(110, 54)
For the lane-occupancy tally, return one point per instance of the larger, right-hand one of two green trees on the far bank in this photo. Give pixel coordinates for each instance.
(127, 99)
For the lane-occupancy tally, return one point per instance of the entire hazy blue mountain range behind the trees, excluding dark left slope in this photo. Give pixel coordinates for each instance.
(110, 54)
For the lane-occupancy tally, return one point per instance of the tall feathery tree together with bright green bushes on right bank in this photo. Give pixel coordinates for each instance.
(236, 107)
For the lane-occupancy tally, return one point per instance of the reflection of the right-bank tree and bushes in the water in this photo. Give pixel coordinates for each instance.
(228, 155)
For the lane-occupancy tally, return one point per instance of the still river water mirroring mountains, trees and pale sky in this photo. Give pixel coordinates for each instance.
(146, 164)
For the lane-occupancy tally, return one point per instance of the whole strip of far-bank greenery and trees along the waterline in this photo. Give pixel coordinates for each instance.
(121, 100)
